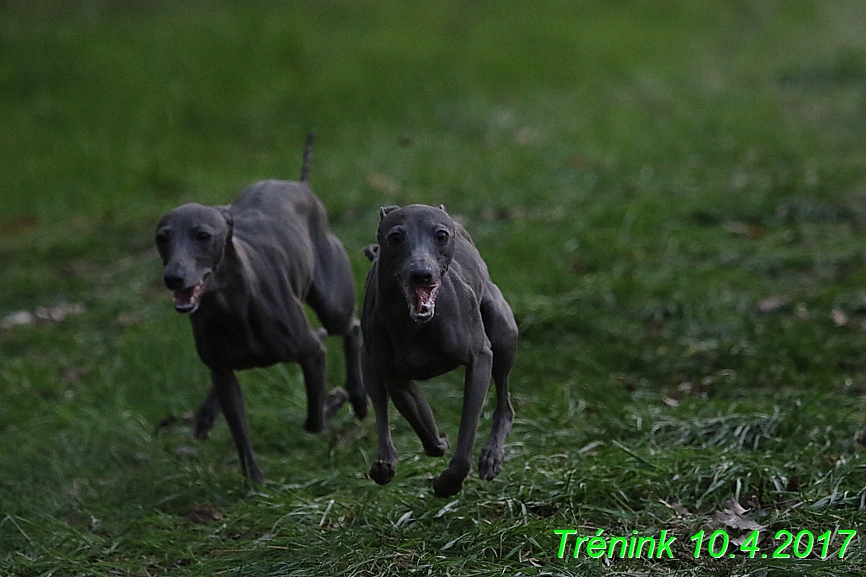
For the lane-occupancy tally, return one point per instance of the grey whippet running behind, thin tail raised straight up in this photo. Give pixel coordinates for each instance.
(242, 272)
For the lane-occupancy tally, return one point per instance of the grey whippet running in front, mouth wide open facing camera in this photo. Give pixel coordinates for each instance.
(430, 307)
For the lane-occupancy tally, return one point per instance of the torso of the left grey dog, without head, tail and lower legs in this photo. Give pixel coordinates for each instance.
(257, 290)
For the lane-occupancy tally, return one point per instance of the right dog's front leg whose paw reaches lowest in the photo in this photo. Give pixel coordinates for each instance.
(475, 389)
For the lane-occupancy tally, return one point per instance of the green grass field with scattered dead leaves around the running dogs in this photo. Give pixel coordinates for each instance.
(670, 195)
